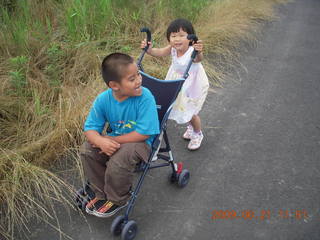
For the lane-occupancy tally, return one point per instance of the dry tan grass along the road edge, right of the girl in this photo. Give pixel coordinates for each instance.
(228, 27)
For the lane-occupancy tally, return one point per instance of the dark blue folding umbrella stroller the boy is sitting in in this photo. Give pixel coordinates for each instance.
(165, 93)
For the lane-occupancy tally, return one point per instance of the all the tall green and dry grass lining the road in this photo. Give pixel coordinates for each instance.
(50, 53)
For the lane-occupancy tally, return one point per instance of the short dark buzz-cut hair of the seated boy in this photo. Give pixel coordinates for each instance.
(113, 66)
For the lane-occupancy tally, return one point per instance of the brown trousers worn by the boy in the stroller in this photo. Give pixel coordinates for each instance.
(112, 177)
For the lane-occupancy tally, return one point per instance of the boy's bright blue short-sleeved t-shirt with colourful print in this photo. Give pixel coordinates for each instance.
(133, 114)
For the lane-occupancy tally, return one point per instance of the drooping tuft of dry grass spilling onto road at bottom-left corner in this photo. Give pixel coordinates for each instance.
(29, 191)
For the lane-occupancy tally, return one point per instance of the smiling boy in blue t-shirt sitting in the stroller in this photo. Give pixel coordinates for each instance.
(109, 160)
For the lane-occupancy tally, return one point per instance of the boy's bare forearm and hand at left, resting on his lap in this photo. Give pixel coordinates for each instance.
(107, 145)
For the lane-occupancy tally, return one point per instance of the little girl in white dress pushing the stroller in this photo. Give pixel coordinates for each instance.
(194, 91)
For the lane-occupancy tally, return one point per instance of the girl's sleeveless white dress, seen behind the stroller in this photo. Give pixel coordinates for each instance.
(194, 90)
